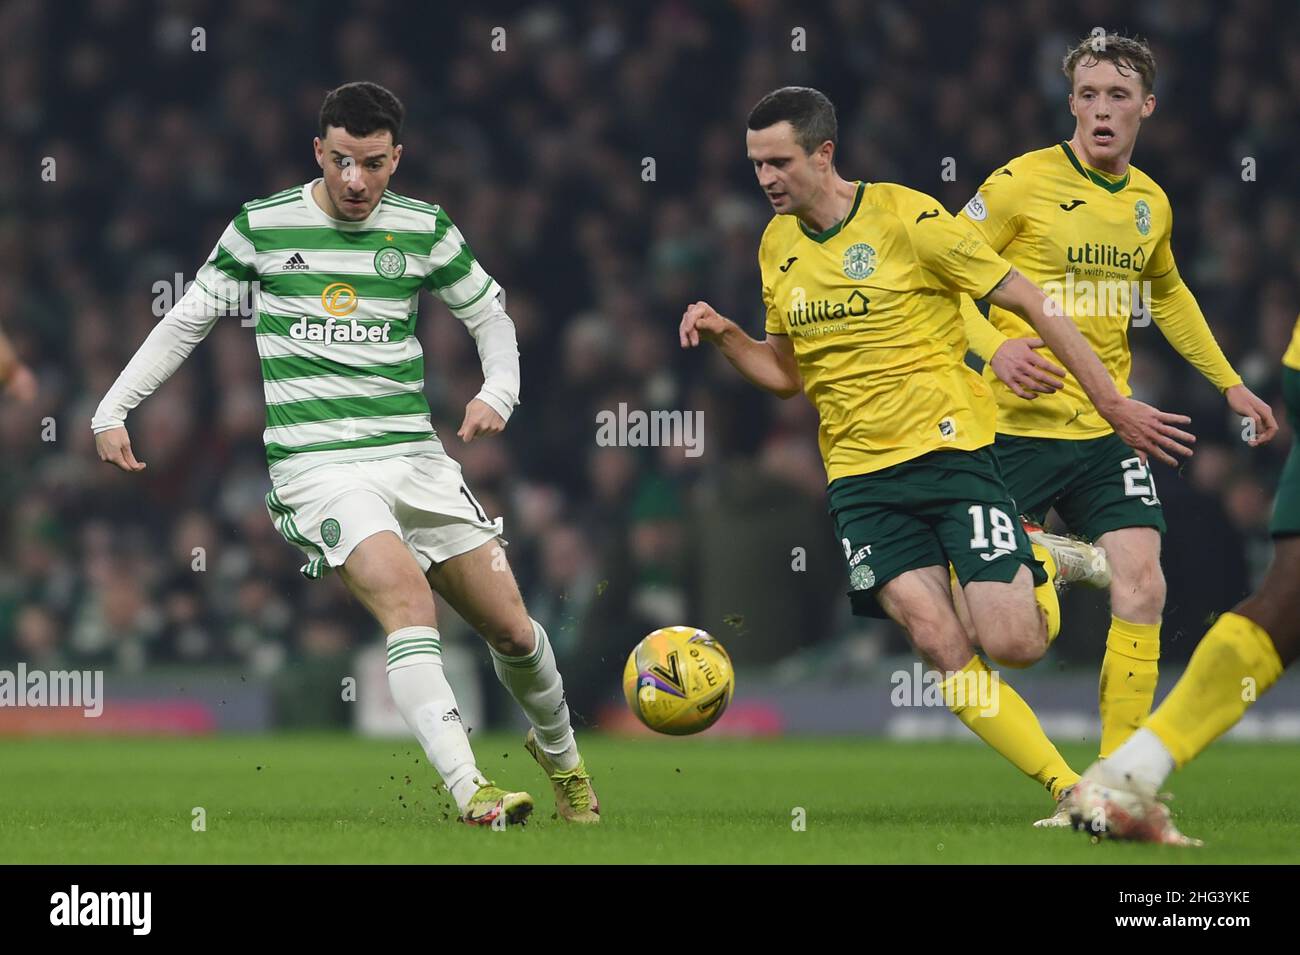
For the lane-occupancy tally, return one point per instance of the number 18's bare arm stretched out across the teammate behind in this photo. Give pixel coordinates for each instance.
(1143, 428)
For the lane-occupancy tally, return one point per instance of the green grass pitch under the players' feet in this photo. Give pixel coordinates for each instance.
(341, 800)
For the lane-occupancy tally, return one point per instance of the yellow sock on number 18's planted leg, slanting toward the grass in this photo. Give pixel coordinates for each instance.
(1000, 717)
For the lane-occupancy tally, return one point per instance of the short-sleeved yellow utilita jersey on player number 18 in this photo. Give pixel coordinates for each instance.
(873, 311)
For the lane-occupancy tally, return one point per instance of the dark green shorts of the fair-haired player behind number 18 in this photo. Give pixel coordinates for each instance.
(1095, 485)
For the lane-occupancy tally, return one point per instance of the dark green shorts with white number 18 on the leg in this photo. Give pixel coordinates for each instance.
(939, 509)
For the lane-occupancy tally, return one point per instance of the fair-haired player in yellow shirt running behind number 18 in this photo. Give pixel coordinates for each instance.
(1094, 232)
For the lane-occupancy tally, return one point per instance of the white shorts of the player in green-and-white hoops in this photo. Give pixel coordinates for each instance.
(422, 498)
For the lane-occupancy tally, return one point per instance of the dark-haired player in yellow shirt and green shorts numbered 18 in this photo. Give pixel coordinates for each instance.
(863, 284)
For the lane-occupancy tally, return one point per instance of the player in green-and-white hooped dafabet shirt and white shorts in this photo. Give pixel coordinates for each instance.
(361, 481)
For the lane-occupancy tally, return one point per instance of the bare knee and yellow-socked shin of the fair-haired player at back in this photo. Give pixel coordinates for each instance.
(1132, 665)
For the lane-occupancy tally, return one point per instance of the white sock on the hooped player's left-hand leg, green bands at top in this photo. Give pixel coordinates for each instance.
(427, 704)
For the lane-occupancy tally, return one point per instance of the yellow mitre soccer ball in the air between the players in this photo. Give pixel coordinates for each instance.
(679, 681)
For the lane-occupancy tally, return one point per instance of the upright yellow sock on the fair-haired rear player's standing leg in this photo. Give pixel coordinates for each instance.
(1128, 687)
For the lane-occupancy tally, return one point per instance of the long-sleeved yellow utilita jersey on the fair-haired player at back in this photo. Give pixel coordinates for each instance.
(1100, 246)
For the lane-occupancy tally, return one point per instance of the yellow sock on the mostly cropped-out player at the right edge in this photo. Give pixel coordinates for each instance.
(1232, 668)
